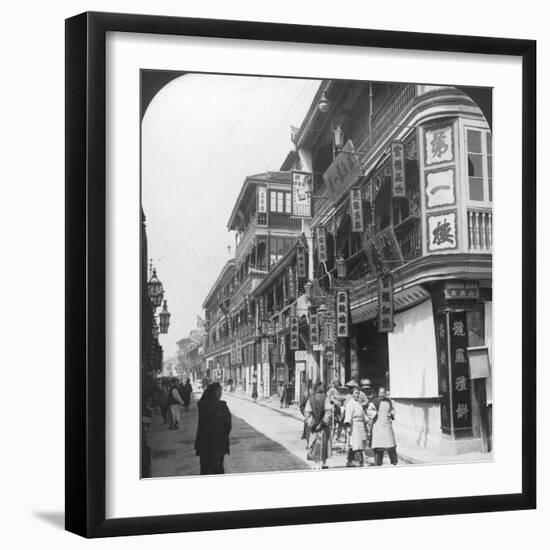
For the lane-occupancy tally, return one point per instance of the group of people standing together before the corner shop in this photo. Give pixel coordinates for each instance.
(366, 419)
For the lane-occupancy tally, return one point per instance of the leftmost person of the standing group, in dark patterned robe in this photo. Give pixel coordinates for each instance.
(318, 416)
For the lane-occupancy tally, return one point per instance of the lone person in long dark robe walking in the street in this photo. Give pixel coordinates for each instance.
(214, 427)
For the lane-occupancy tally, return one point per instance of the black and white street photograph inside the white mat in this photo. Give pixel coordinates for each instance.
(316, 274)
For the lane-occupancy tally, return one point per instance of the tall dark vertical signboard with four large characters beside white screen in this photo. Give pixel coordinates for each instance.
(460, 373)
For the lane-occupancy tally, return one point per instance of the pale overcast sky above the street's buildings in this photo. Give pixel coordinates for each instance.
(202, 135)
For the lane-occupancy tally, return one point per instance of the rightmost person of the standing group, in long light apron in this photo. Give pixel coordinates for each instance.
(382, 414)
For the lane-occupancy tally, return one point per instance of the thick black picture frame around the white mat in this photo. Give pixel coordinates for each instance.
(86, 284)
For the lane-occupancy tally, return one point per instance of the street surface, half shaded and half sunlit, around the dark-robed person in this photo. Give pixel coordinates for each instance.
(266, 441)
